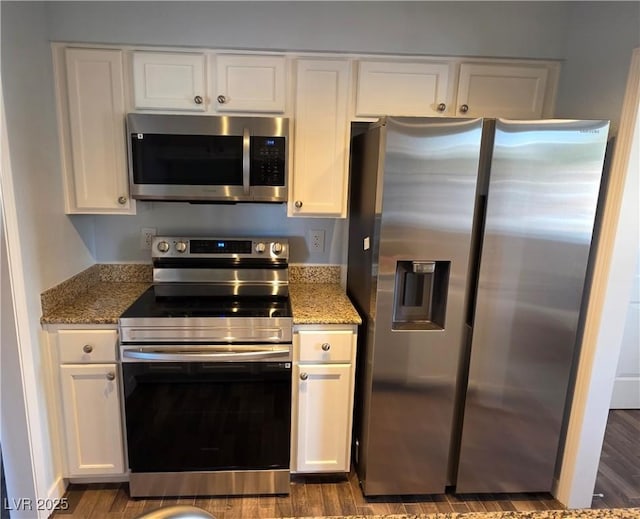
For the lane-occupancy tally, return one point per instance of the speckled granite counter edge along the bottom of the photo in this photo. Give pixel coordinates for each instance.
(611, 513)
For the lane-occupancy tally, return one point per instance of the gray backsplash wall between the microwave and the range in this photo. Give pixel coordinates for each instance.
(118, 237)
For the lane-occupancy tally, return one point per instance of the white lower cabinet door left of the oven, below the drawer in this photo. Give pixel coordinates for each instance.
(91, 410)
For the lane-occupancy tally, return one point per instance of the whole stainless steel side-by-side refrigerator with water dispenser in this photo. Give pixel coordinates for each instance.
(468, 249)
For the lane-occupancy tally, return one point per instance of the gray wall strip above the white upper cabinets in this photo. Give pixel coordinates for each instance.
(524, 29)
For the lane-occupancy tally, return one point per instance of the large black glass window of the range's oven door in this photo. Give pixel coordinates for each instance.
(207, 416)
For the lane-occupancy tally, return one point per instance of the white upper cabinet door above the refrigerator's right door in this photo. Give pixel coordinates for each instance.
(501, 90)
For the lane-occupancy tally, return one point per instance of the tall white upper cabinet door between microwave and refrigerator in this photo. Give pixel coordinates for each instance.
(321, 143)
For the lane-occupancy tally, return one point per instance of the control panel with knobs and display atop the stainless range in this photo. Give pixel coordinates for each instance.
(183, 247)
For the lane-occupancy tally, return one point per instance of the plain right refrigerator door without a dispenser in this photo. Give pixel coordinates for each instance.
(543, 191)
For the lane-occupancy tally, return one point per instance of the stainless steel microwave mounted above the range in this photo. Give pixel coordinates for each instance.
(203, 158)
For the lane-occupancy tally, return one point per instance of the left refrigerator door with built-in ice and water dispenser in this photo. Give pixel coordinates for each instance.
(426, 186)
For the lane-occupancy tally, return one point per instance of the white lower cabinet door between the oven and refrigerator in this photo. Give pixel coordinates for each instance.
(324, 404)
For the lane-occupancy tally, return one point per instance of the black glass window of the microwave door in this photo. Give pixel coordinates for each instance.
(204, 160)
